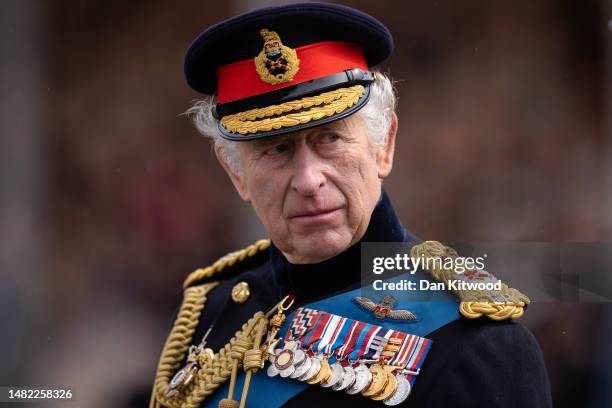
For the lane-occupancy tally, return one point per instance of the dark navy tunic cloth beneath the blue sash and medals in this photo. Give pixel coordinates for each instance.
(472, 363)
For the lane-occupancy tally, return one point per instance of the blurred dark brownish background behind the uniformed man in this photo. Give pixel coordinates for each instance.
(109, 198)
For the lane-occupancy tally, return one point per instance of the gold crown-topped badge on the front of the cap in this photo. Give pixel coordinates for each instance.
(276, 63)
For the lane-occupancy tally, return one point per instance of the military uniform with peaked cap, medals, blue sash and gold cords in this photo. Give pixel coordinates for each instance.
(255, 328)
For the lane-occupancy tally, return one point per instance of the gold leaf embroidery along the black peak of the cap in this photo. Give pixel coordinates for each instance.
(277, 116)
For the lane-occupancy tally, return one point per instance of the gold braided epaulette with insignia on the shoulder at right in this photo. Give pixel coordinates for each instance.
(508, 304)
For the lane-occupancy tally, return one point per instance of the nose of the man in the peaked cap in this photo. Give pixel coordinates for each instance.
(308, 177)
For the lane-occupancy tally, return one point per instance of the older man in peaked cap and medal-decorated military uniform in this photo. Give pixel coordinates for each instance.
(306, 133)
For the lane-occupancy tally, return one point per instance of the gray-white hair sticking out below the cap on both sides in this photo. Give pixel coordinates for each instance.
(377, 114)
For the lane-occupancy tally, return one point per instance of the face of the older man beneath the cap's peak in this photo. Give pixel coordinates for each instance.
(314, 190)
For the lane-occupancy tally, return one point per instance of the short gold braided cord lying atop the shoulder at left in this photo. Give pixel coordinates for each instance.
(230, 264)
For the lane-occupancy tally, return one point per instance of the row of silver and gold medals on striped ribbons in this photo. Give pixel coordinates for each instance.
(381, 365)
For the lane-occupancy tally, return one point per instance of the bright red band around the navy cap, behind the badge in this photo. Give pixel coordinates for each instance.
(240, 80)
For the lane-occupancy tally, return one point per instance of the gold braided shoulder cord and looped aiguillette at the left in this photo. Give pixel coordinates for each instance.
(213, 371)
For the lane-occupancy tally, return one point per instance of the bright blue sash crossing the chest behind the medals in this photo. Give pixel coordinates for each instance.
(268, 392)
